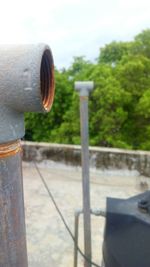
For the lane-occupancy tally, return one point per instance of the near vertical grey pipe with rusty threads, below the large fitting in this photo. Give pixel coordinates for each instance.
(13, 252)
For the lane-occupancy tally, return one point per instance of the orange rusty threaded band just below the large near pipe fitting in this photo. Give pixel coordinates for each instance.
(10, 149)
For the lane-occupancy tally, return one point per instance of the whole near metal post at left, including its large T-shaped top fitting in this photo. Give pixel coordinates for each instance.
(26, 84)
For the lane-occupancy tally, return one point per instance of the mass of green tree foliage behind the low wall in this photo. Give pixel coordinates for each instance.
(119, 106)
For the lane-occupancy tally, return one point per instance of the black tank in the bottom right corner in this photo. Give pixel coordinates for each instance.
(127, 232)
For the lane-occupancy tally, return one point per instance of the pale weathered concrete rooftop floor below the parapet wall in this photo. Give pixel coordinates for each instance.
(49, 244)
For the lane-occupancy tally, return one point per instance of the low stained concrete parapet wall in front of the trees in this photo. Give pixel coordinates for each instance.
(100, 158)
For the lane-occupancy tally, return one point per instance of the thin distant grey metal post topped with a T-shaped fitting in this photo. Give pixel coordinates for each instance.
(84, 88)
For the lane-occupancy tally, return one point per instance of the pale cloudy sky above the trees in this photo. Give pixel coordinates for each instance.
(72, 27)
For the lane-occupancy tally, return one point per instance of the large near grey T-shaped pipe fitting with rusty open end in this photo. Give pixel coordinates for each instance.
(26, 84)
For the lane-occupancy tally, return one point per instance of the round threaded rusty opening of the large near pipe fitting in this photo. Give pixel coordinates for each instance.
(47, 80)
